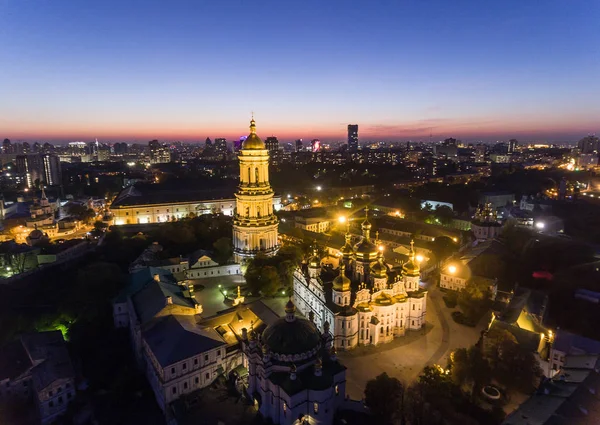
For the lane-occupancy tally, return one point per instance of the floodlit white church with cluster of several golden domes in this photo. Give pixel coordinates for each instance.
(369, 302)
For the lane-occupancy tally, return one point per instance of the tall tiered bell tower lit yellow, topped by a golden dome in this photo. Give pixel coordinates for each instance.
(254, 224)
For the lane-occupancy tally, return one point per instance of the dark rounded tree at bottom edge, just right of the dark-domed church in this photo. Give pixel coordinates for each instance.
(384, 396)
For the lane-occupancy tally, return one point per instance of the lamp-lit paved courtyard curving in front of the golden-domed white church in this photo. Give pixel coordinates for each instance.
(405, 357)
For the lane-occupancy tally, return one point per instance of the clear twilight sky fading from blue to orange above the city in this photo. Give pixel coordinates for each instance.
(185, 70)
